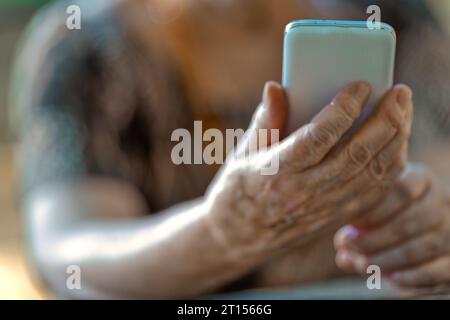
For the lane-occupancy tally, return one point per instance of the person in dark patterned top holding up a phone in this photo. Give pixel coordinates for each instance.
(99, 189)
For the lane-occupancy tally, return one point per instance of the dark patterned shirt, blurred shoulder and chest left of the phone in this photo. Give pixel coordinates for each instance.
(102, 102)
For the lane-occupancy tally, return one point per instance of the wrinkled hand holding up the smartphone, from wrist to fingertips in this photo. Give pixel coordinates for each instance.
(323, 179)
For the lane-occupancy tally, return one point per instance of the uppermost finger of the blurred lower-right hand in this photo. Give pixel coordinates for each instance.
(410, 187)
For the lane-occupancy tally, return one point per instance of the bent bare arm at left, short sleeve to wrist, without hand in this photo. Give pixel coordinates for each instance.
(172, 254)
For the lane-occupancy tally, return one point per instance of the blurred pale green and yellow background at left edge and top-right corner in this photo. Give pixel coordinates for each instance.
(15, 279)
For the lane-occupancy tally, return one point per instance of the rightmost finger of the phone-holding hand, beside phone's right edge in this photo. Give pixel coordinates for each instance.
(391, 122)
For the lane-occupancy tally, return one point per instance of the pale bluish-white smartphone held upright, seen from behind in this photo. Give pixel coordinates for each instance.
(323, 56)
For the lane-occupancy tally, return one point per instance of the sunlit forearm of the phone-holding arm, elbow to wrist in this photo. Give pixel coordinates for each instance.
(172, 254)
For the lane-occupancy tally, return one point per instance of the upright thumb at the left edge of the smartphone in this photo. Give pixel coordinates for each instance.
(270, 115)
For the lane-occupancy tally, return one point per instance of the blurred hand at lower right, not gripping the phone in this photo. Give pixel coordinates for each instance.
(407, 235)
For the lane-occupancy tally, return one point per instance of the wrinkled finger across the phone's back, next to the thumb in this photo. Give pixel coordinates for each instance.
(310, 144)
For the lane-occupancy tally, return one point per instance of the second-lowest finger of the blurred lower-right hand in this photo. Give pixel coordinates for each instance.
(411, 253)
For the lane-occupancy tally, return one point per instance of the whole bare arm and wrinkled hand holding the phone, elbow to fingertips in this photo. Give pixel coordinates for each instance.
(244, 220)
